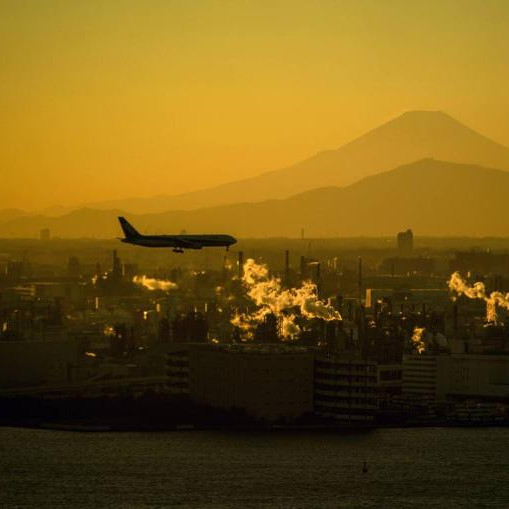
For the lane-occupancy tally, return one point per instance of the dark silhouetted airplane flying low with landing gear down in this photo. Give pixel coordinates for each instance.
(177, 242)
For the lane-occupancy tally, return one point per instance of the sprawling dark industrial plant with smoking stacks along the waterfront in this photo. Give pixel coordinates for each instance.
(315, 333)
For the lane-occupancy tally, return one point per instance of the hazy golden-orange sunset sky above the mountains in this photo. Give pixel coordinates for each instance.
(109, 99)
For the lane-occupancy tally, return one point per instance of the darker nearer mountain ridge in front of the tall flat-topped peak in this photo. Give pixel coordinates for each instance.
(431, 197)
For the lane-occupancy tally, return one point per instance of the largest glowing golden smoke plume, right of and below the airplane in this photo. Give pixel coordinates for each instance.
(268, 295)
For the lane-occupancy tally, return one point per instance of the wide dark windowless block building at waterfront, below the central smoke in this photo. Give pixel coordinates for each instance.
(269, 382)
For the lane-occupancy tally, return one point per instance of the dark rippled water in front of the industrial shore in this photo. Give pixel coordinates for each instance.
(408, 468)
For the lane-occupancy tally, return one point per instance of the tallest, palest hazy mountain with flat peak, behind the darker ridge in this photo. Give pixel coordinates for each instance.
(410, 137)
